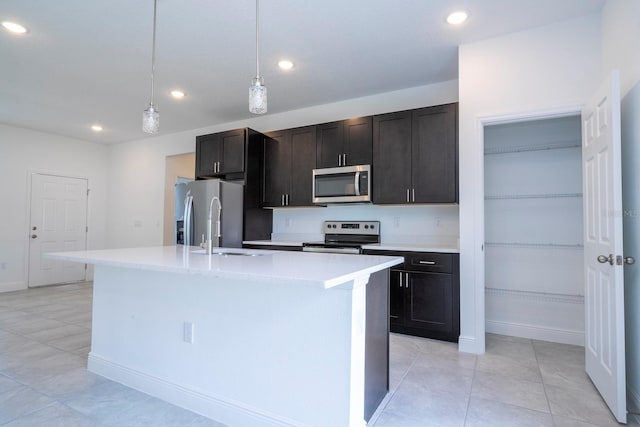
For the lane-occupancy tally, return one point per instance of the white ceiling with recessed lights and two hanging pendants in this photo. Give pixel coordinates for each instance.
(88, 61)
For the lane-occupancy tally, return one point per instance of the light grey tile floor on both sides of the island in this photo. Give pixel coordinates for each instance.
(45, 336)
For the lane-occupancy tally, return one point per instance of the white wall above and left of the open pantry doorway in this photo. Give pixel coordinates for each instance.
(530, 73)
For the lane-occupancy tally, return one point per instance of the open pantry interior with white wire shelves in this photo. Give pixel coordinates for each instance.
(534, 253)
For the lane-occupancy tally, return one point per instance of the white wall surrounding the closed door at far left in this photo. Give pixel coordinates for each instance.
(24, 151)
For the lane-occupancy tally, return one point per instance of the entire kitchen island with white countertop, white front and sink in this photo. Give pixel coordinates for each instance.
(245, 337)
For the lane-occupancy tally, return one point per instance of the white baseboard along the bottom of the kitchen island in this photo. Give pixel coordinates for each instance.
(215, 407)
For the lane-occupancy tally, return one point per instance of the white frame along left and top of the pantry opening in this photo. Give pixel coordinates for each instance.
(476, 343)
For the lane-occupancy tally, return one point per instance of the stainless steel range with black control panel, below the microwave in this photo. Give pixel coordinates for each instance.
(345, 237)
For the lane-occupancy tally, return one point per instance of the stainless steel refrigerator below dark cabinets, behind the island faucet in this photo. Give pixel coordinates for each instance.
(192, 203)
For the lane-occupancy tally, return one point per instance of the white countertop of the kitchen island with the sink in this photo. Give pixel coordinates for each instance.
(316, 269)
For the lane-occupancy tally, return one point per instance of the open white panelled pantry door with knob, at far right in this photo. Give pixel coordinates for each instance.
(604, 293)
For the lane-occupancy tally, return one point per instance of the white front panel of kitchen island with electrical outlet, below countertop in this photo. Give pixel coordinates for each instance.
(263, 353)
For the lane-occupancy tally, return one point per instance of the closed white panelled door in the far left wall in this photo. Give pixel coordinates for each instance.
(58, 222)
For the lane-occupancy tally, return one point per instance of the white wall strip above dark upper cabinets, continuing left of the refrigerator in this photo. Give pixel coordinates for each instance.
(136, 196)
